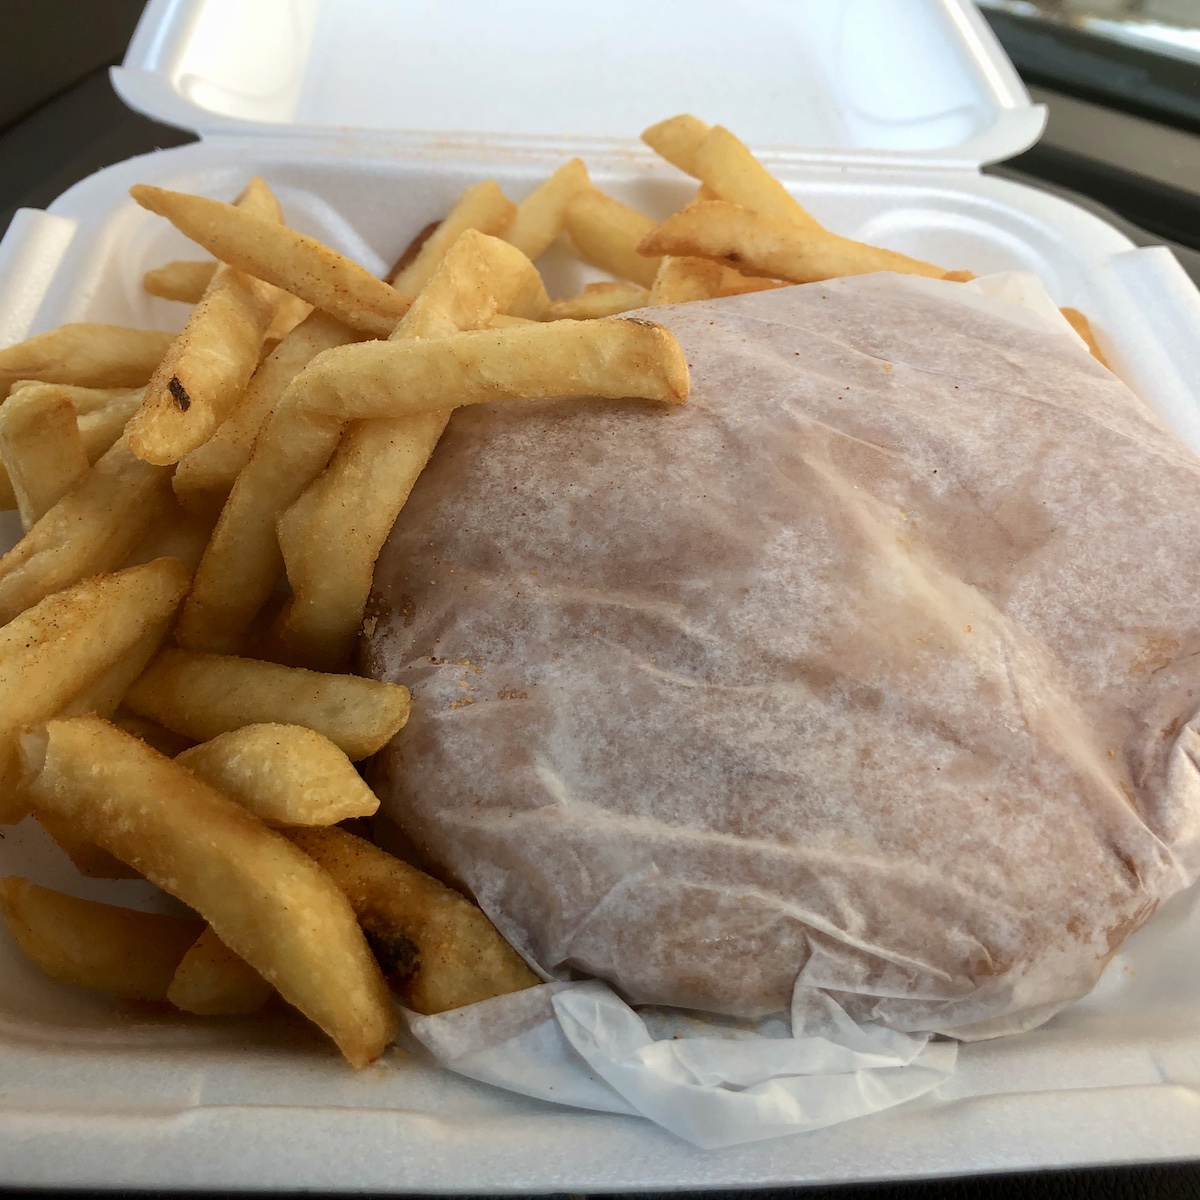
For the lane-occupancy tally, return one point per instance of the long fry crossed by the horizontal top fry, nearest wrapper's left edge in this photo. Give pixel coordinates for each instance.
(332, 535)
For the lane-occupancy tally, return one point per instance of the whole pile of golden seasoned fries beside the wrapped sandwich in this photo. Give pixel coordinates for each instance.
(202, 519)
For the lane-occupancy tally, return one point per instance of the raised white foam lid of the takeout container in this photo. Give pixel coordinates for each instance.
(919, 82)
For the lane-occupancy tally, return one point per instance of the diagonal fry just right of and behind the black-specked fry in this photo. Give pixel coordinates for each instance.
(206, 477)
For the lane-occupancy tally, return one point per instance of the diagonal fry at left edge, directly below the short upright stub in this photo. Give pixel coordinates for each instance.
(92, 530)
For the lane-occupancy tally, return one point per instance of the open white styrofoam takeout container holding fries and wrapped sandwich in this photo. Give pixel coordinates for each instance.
(368, 118)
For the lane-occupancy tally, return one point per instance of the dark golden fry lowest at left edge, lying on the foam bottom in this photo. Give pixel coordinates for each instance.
(97, 946)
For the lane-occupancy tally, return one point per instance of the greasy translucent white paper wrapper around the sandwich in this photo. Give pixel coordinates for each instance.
(903, 609)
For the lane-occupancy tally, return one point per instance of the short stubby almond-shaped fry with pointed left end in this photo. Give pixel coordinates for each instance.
(286, 775)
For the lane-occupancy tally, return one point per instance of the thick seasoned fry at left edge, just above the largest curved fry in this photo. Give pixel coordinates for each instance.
(55, 650)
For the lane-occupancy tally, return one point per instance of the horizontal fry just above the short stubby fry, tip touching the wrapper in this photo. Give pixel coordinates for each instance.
(206, 695)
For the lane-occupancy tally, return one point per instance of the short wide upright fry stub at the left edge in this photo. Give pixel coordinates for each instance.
(41, 451)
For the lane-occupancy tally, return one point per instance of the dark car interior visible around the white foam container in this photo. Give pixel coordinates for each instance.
(1124, 140)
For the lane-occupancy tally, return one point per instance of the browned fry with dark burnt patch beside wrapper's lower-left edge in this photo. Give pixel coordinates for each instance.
(439, 949)
